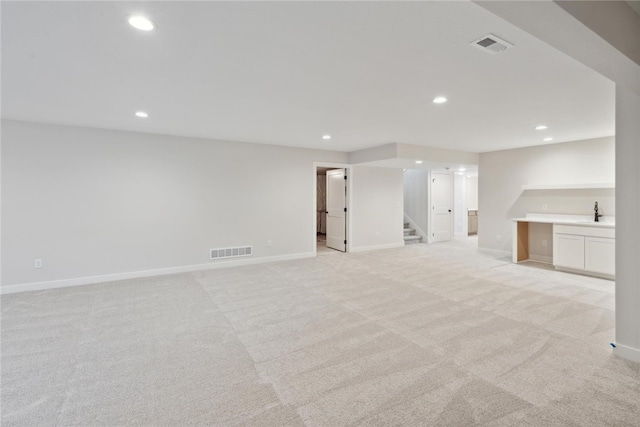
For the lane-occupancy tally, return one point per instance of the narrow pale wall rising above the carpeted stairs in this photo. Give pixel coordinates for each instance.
(416, 199)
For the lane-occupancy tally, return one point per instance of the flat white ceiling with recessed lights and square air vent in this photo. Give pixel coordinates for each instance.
(286, 73)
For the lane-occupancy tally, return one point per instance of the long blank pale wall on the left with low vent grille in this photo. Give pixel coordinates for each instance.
(92, 202)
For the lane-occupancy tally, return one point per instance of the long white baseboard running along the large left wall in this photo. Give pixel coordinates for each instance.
(90, 280)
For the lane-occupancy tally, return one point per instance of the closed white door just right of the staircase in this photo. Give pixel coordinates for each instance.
(441, 206)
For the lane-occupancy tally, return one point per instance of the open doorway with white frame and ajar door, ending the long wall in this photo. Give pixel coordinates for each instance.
(331, 212)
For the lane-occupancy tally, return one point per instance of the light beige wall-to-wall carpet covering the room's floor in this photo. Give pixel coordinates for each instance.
(435, 335)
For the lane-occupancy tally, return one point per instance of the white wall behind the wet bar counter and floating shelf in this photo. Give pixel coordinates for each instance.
(502, 174)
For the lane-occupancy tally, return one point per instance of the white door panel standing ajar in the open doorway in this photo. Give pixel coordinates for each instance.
(336, 209)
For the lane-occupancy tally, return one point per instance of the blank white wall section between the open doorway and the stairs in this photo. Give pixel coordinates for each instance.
(376, 208)
